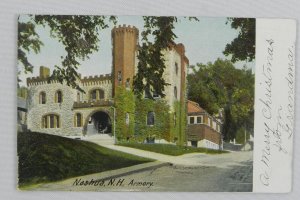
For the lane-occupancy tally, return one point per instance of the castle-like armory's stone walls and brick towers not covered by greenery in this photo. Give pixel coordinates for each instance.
(76, 113)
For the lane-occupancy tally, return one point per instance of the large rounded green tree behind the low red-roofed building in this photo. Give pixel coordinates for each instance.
(220, 86)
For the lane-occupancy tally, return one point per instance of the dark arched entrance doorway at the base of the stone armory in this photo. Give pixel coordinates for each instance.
(99, 123)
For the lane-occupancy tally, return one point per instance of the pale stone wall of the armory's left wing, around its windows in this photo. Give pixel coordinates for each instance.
(65, 109)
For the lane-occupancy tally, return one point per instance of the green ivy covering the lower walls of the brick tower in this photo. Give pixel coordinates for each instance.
(170, 126)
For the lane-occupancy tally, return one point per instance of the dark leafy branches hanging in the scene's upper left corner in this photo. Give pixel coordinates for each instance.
(77, 33)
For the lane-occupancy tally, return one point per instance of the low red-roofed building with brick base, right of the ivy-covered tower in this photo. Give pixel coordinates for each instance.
(203, 129)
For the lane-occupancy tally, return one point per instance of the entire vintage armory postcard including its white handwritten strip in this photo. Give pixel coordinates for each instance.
(149, 103)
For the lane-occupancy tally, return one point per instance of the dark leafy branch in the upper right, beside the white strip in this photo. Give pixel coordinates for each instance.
(243, 46)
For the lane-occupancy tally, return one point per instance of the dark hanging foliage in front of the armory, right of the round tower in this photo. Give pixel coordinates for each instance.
(151, 64)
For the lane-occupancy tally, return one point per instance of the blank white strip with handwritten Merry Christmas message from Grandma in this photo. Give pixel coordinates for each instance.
(274, 105)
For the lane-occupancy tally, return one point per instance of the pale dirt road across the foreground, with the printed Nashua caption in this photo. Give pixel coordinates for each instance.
(231, 172)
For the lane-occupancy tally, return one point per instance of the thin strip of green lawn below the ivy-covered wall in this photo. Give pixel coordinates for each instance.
(169, 149)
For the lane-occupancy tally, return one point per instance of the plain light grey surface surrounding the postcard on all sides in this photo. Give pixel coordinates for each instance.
(8, 15)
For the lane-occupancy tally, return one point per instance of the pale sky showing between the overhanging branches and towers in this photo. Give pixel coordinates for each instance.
(204, 42)
